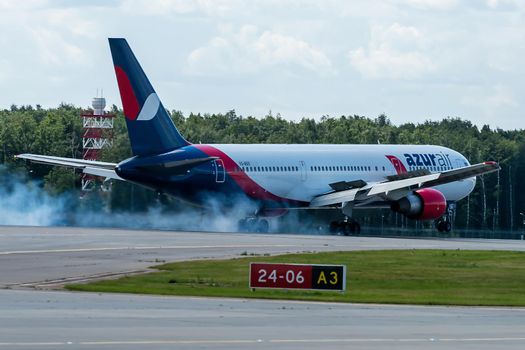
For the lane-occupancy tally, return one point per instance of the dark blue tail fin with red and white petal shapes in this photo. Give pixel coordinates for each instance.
(150, 128)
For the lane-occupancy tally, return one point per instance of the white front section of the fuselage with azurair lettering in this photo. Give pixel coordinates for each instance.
(301, 172)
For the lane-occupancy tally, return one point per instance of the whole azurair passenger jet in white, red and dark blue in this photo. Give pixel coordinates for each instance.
(421, 182)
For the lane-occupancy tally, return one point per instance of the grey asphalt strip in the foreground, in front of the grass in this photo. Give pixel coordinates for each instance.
(55, 320)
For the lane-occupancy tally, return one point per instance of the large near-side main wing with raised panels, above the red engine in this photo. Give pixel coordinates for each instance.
(399, 185)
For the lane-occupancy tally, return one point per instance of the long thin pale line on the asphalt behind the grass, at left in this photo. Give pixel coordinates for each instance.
(76, 250)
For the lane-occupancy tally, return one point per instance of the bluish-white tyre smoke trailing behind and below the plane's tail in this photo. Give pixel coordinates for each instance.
(24, 202)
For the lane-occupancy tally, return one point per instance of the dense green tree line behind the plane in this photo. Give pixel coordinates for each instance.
(496, 202)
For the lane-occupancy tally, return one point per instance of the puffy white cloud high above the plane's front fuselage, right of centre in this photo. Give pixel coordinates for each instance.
(392, 53)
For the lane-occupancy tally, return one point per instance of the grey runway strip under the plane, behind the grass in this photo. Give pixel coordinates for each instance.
(43, 257)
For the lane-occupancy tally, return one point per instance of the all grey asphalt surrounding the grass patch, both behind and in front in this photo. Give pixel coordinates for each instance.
(34, 258)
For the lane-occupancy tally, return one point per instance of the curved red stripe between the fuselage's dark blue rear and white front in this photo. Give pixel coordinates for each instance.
(250, 187)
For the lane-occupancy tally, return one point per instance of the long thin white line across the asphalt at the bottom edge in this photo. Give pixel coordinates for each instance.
(254, 341)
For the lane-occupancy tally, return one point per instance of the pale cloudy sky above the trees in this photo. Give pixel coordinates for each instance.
(413, 60)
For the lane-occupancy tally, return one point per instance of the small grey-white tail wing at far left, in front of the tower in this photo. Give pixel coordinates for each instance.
(91, 167)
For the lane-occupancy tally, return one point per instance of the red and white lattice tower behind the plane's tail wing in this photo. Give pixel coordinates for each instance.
(98, 134)
